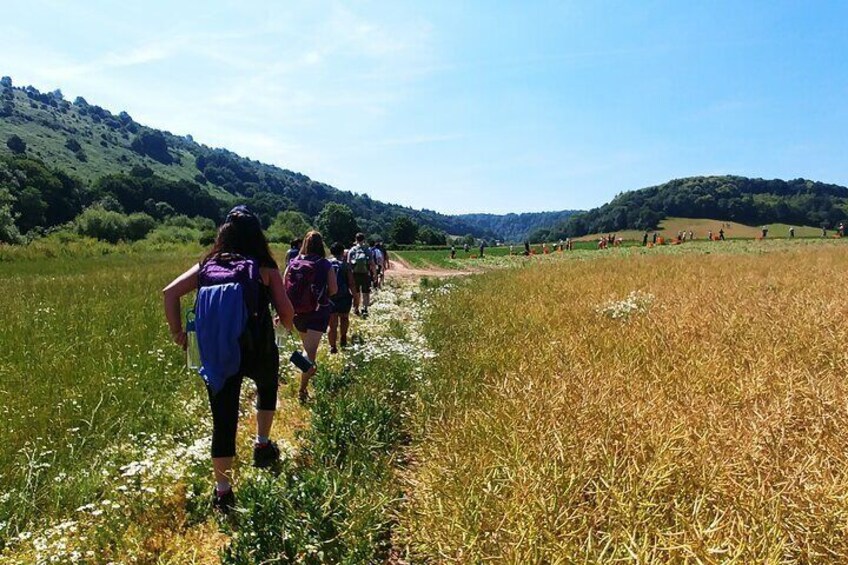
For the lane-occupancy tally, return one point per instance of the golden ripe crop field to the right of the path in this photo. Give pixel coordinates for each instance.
(676, 407)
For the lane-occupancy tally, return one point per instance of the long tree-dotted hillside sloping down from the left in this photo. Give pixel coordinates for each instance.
(60, 158)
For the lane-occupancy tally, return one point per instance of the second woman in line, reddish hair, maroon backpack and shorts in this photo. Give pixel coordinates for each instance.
(309, 287)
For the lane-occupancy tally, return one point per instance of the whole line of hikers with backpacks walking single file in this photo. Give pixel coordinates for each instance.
(238, 282)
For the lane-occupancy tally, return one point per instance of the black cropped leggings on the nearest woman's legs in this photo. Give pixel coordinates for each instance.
(225, 411)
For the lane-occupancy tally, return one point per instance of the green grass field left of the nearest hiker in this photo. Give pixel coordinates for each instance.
(86, 364)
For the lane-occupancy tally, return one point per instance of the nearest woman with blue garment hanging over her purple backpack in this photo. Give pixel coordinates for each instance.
(238, 271)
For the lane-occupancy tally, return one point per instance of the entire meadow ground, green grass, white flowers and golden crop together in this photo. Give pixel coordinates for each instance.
(684, 403)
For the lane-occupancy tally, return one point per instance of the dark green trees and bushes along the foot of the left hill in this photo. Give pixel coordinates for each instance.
(36, 200)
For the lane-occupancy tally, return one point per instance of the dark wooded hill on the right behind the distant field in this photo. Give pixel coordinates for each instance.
(738, 199)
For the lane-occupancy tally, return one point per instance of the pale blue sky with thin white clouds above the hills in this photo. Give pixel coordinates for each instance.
(465, 106)
